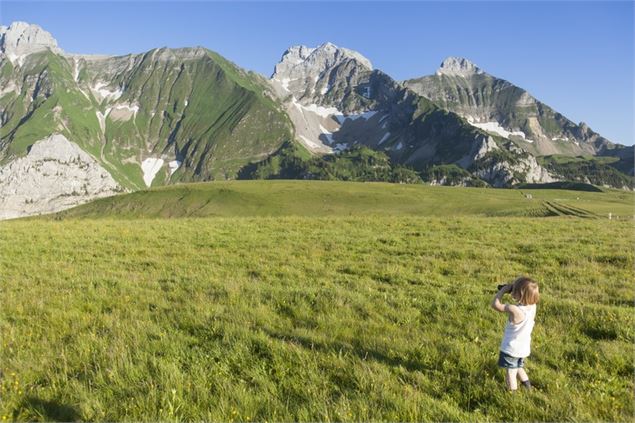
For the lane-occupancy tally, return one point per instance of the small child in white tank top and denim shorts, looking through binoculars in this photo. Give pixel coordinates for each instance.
(515, 346)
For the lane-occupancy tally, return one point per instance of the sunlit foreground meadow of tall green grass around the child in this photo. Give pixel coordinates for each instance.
(322, 318)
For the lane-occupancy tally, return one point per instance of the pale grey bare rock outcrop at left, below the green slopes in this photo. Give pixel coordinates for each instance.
(55, 175)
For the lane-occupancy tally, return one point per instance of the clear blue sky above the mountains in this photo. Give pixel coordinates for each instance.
(575, 56)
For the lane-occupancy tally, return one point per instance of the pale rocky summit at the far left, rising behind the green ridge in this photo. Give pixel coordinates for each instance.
(21, 39)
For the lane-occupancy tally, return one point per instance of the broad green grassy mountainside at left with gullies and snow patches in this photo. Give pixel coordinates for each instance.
(189, 105)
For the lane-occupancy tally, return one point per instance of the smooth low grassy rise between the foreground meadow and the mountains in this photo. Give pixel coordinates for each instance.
(321, 198)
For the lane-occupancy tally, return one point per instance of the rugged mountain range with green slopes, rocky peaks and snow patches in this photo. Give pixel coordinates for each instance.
(106, 124)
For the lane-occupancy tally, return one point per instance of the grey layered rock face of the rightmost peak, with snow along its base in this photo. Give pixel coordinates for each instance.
(500, 107)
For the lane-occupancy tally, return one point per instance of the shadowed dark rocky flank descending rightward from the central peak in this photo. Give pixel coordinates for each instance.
(418, 133)
